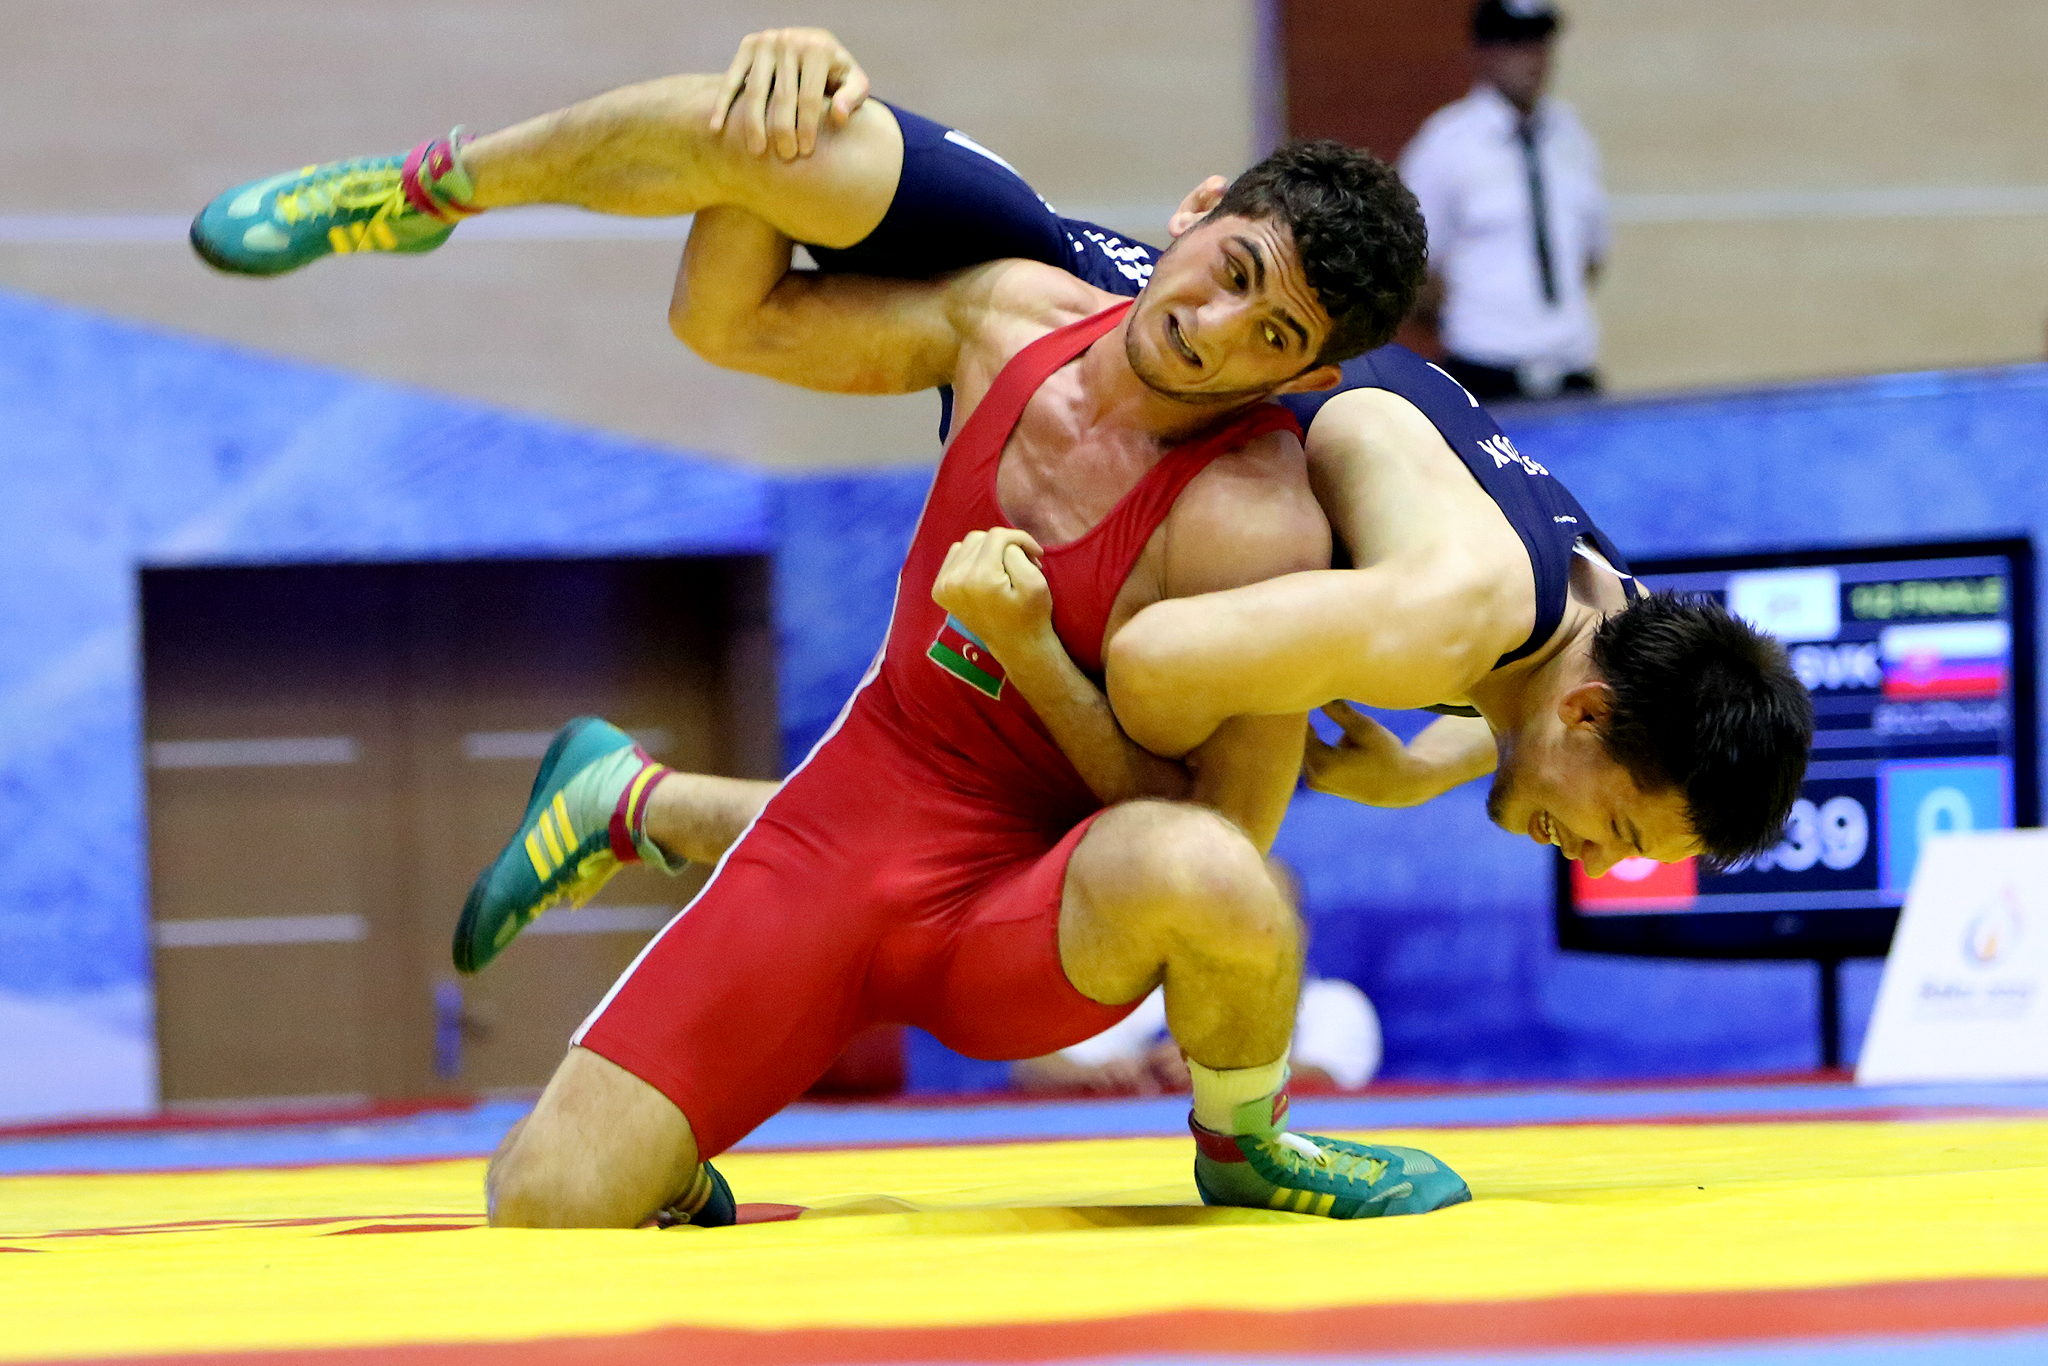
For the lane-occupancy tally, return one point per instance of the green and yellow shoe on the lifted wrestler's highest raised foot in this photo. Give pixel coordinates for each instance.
(370, 204)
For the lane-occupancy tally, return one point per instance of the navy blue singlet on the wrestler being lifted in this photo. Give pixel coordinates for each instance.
(957, 206)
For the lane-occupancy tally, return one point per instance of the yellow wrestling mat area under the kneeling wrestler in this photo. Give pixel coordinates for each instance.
(355, 1256)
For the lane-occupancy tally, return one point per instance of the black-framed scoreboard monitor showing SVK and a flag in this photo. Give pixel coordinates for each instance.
(1920, 660)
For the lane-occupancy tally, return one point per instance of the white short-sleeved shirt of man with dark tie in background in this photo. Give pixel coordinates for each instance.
(1469, 171)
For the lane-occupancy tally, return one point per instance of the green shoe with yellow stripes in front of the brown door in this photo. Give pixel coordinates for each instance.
(583, 824)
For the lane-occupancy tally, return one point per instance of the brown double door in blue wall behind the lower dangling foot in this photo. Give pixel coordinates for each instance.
(335, 753)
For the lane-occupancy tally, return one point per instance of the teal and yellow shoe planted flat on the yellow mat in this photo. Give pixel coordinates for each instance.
(1269, 1168)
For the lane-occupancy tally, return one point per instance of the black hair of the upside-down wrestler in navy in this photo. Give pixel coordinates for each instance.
(1709, 706)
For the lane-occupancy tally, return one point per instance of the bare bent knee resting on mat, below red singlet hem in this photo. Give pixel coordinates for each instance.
(601, 1150)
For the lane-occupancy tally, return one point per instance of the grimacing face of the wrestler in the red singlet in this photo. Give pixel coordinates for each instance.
(1228, 314)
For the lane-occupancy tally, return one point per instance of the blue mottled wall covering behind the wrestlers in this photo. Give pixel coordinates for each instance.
(126, 447)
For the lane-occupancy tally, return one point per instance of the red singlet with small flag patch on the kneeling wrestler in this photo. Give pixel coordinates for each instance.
(912, 867)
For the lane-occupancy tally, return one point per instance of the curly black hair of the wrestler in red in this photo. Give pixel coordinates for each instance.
(1357, 228)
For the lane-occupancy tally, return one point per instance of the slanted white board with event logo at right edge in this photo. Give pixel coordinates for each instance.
(1969, 968)
